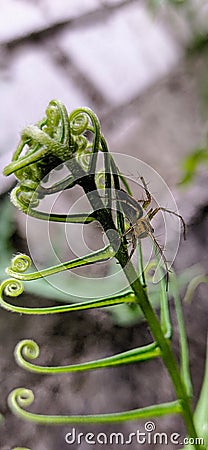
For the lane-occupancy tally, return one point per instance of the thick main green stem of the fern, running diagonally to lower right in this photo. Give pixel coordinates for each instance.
(105, 219)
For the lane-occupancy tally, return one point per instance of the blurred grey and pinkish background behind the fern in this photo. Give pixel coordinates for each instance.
(142, 67)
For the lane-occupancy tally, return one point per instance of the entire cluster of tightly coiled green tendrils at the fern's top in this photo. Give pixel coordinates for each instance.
(52, 141)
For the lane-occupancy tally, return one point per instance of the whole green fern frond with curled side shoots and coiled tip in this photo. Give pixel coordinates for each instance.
(76, 141)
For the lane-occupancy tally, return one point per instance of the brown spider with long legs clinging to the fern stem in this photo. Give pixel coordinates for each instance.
(140, 223)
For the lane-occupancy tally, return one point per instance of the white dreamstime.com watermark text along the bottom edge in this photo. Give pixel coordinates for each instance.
(149, 435)
